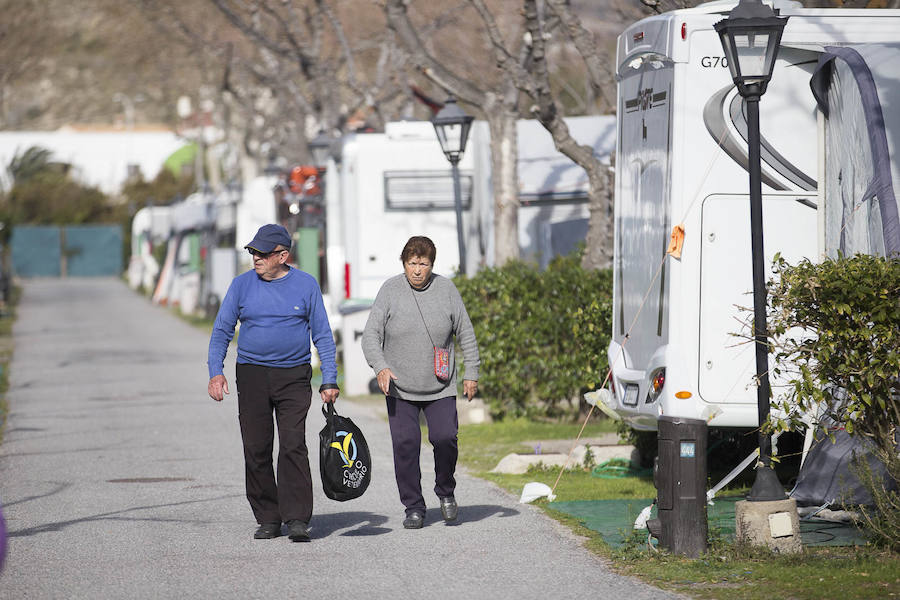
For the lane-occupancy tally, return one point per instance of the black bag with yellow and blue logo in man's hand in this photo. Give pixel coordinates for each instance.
(344, 459)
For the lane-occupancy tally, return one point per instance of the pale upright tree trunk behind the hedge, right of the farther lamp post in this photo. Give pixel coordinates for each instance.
(504, 161)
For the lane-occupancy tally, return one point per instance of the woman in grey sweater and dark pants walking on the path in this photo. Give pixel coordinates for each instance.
(409, 343)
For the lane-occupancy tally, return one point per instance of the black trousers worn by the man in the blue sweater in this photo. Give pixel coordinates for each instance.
(287, 392)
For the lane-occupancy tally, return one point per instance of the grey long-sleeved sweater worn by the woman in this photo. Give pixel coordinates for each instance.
(395, 336)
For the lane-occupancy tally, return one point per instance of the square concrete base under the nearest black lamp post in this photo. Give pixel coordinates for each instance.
(775, 525)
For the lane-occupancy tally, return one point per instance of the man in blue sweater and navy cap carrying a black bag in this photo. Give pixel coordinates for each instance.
(280, 309)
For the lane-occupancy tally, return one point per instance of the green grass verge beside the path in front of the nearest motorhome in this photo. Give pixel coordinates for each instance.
(729, 569)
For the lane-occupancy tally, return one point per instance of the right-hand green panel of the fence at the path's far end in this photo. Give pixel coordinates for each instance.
(93, 250)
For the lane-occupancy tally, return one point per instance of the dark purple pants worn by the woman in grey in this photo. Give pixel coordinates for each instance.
(406, 437)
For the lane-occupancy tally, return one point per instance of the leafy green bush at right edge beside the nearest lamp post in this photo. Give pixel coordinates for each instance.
(835, 327)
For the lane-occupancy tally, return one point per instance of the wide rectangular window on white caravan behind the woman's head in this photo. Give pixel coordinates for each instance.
(425, 190)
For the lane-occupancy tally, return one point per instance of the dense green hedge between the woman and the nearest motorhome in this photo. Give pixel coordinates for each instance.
(542, 335)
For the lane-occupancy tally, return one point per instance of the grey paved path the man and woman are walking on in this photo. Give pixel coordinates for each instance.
(120, 478)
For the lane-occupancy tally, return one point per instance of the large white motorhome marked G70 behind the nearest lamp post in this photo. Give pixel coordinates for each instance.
(682, 169)
